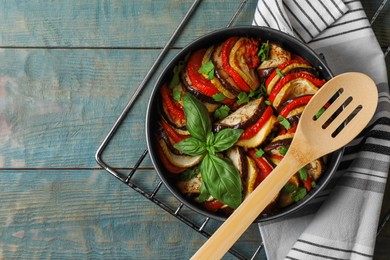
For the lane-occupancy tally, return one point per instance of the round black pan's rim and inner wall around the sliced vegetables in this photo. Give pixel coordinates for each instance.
(288, 42)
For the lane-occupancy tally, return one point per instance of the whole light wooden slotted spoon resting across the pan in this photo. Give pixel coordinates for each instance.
(357, 98)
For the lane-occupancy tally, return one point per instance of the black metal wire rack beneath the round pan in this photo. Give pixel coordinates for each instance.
(203, 225)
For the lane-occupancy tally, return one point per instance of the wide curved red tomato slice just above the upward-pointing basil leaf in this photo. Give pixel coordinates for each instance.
(199, 82)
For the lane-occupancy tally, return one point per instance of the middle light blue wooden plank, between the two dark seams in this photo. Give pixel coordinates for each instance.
(57, 105)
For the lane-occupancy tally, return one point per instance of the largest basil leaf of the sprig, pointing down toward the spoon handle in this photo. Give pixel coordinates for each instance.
(222, 179)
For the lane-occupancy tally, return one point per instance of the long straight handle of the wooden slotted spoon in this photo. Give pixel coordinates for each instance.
(231, 230)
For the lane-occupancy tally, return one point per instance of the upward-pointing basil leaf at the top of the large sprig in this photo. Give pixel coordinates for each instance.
(197, 117)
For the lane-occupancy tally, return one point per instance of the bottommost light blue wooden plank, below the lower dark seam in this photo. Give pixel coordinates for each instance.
(89, 214)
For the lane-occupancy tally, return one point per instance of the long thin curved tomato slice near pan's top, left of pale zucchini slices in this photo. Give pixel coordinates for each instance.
(225, 53)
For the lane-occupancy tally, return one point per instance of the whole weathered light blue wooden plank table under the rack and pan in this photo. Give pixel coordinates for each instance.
(67, 69)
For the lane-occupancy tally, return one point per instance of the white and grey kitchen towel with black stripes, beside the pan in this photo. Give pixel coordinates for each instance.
(341, 222)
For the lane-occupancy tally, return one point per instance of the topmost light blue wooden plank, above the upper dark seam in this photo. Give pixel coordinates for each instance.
(120, 23)
